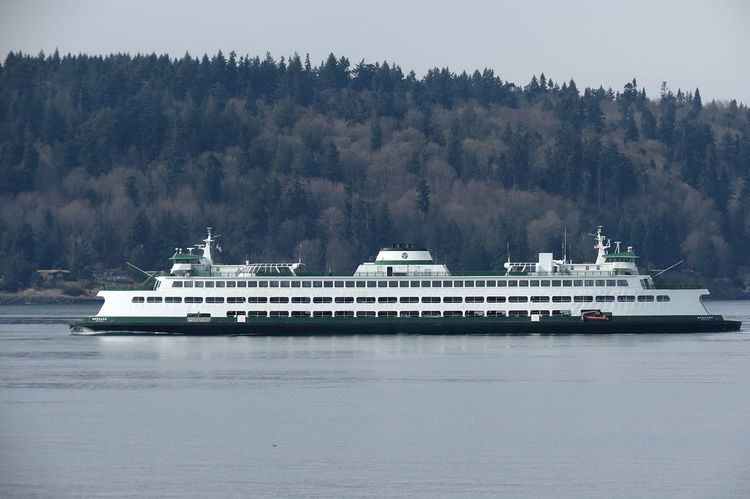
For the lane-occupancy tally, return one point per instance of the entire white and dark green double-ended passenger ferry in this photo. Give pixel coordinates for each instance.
(404, 291)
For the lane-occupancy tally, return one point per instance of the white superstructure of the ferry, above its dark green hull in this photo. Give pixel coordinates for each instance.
(403, 281)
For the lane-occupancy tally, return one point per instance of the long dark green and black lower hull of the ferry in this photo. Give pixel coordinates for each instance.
(456, 326)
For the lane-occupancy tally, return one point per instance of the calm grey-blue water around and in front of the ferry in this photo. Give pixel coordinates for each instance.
(575, 416)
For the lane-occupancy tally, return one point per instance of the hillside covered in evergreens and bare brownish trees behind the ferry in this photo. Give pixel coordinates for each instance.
(108, 159)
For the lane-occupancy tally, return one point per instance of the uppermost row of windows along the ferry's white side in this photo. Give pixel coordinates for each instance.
(491, 283)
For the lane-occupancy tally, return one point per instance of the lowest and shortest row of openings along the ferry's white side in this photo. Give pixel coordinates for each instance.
(393, 313)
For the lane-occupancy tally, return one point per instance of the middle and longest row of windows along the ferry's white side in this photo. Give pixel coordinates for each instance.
(405, 299)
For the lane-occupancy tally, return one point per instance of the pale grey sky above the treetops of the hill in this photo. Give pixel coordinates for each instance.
(686, 43)
